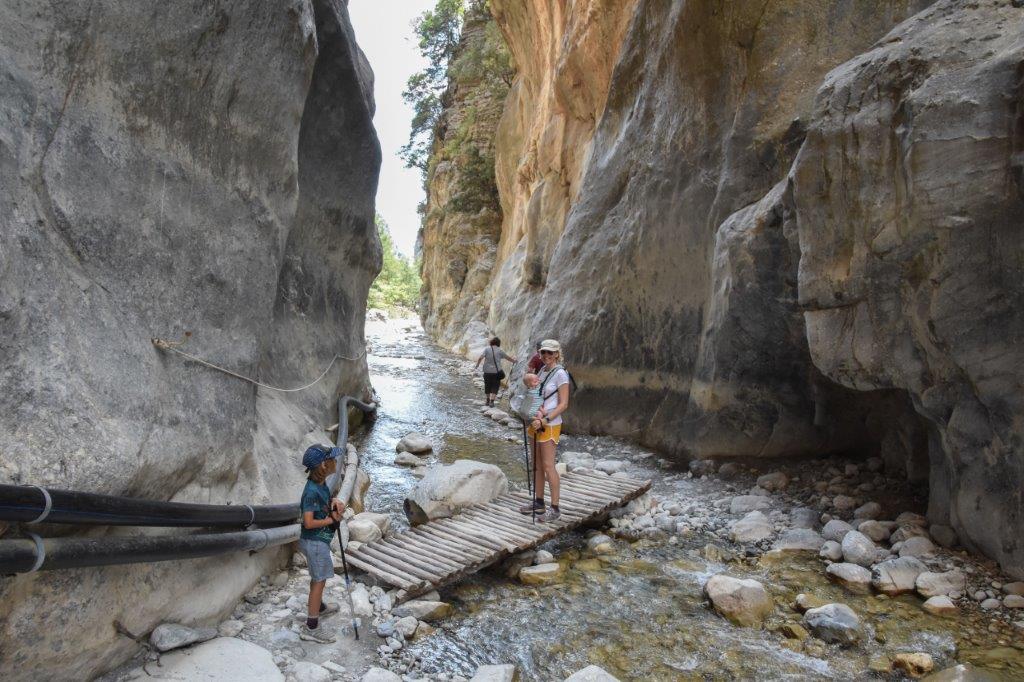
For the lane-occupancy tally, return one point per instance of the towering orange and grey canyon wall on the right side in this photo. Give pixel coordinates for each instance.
(786, 231)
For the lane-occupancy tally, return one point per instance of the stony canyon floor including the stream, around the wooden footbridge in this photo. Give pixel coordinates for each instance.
(630, 598)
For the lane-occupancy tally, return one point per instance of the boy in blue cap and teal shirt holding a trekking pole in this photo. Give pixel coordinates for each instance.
(321, 516)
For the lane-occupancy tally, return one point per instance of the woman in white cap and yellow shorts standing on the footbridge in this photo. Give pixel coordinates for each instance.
(546, 429)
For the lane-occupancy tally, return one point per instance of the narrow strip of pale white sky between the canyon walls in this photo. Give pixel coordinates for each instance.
(383, 31)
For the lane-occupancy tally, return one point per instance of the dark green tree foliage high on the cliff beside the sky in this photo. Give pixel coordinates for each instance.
(439, 33)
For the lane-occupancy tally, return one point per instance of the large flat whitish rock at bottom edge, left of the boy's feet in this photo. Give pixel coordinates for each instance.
(222, 659)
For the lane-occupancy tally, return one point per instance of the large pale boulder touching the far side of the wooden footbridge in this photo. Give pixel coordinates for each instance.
(448, 489)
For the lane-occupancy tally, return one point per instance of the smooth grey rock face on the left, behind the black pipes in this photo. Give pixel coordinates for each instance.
(168, 169)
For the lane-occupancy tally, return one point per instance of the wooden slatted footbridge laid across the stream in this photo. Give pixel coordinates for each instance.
(444, 551)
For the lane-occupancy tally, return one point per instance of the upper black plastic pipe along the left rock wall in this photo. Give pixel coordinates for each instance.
(26, 504)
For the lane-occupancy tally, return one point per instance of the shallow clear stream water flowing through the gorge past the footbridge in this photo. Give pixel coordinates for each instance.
(638, 613)
